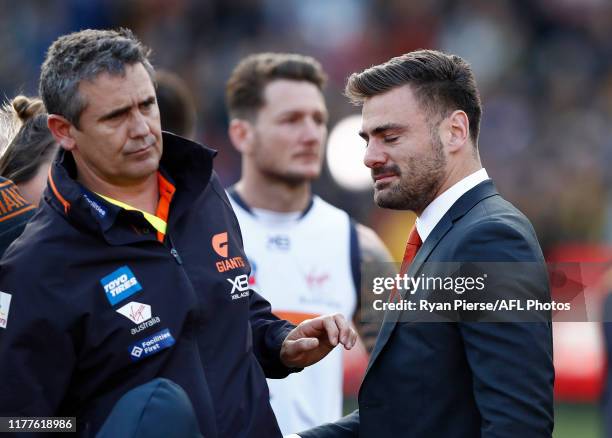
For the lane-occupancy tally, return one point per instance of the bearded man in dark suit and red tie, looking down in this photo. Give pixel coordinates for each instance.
(466, 376)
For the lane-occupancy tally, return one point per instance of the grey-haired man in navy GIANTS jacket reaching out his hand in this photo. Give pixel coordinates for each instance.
(133, 267)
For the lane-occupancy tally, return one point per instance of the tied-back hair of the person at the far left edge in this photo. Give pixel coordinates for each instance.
(32, 146)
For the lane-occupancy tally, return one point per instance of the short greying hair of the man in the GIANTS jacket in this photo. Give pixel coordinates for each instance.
(83, 56)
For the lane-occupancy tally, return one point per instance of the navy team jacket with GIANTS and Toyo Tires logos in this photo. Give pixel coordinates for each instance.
(92, 305)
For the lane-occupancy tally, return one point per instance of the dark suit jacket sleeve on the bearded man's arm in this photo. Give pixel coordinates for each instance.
(511, 361)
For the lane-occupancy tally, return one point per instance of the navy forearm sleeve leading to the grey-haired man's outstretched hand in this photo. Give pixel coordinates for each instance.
(269, 332)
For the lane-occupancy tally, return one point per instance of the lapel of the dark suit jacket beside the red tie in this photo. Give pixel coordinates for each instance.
(460, 208)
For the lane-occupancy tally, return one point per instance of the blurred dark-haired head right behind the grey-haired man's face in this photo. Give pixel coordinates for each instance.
(176, 105)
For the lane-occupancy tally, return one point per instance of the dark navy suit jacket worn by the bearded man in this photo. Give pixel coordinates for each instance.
(463, 379)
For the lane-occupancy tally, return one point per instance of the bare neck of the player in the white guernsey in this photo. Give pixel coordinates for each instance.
(274, 195)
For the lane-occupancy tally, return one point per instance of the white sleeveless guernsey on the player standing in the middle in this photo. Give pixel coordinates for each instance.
(304, 264)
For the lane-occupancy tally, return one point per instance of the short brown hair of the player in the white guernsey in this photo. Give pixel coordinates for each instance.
(244, 89)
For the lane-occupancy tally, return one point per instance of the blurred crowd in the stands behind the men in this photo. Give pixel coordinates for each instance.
(544, 68)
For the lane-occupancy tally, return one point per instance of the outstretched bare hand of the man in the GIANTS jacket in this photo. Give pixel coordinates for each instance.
(313, 339)
